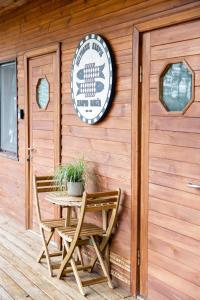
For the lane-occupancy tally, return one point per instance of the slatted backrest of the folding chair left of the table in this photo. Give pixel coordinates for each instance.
(43, 184)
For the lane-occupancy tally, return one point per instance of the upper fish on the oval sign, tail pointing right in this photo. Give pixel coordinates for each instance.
(91, 71)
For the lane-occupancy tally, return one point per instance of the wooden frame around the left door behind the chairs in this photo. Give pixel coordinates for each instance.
(53, 48)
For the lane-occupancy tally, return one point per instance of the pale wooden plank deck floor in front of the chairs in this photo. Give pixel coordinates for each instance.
(21, 277)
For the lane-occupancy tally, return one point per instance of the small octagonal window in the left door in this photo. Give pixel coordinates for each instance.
(42, 93)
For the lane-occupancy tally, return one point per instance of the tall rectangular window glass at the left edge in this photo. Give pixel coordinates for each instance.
(8, 122)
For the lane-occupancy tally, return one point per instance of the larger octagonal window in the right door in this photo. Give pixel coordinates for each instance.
(176, 86)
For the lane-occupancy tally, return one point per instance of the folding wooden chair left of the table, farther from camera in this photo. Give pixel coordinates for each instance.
(44, 184)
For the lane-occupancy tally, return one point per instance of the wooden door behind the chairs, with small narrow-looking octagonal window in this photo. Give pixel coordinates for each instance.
(43, 153)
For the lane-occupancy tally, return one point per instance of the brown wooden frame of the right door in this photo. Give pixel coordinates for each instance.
(139, 157)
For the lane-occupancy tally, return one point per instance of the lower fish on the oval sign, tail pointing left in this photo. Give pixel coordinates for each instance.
(90, 88)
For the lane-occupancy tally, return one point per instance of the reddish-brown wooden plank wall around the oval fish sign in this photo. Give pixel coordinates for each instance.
(107, 145)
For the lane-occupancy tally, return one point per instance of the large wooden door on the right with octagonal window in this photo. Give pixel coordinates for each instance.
(170, 151)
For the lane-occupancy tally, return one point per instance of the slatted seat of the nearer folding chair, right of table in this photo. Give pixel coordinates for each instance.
(87, 229)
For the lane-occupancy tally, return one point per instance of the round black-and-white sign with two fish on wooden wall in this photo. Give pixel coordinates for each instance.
(91, 78)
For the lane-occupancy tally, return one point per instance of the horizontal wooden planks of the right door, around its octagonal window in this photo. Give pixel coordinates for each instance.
(174, 152)
